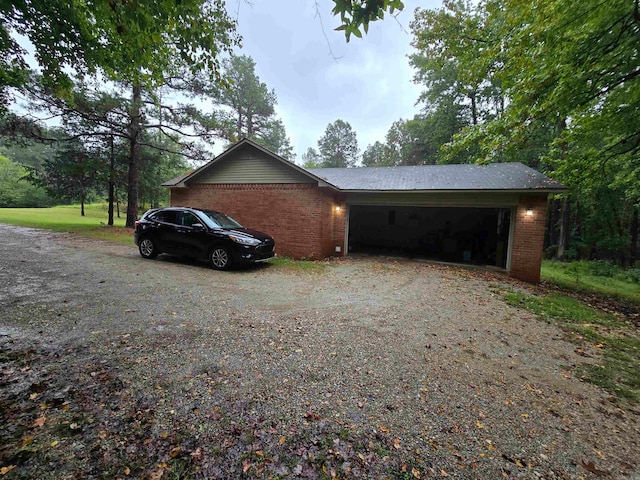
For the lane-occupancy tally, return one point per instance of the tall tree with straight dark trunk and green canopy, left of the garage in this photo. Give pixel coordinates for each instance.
(140, 44)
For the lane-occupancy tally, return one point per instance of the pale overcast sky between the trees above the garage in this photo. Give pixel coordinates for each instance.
(368, 84)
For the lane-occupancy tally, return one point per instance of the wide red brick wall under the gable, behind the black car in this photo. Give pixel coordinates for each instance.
(301, 218)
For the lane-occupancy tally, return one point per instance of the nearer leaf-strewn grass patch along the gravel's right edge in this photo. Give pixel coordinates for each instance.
(615, 342)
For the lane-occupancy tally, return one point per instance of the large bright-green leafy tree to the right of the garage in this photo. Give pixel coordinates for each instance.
(569, 75)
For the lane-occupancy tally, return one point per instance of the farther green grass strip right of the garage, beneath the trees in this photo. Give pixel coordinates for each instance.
(592, 277)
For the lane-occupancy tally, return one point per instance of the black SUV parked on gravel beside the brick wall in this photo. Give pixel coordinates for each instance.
(201, 234)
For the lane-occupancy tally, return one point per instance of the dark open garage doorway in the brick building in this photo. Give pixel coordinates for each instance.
(477, 236)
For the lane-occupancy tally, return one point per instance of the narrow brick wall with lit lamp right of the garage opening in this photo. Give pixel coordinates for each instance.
(528, 238)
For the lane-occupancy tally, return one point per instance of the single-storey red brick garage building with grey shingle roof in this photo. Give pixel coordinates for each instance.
(485, 215)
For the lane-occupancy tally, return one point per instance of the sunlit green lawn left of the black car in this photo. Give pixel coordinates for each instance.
(67, 218)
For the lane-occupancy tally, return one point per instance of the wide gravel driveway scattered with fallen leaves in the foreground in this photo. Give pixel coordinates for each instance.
(117, 367)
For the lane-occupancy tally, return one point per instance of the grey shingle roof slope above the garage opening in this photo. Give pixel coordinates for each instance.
(495, 176)
